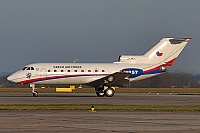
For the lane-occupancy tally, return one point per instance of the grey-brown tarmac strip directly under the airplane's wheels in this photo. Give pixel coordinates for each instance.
(91, 98)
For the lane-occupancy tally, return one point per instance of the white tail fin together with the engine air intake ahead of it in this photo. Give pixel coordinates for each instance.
(163, 53)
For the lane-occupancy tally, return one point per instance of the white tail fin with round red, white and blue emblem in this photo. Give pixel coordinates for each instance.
(166, 51)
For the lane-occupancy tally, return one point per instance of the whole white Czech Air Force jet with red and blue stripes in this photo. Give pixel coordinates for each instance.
(104, 77)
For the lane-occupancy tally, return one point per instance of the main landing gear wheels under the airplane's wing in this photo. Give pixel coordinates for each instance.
(105, 91)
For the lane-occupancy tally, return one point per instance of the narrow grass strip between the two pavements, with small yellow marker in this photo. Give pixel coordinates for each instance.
(100, 107)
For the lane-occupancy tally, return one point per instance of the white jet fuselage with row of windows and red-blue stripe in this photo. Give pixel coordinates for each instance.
(74, 73)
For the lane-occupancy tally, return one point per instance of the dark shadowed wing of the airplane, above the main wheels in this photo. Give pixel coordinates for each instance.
(116, 79)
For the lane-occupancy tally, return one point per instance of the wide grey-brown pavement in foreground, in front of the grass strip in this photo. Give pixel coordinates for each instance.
(98, 122)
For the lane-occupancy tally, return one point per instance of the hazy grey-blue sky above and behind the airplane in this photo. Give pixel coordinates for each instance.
(94, 30)
